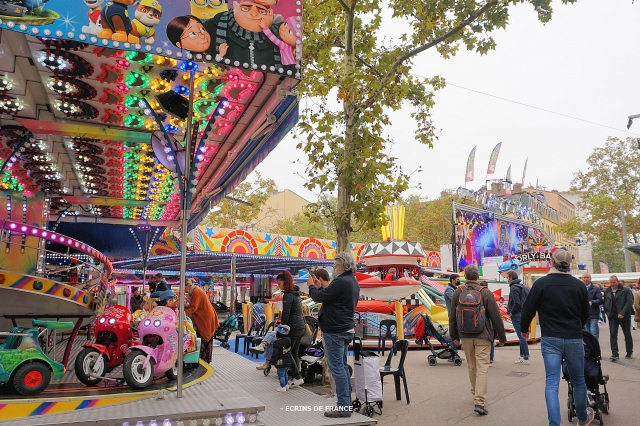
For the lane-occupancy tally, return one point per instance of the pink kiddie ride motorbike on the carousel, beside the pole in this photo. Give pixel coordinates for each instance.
(158, 352)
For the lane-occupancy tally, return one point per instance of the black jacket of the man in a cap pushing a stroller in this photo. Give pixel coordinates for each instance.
(562, 304)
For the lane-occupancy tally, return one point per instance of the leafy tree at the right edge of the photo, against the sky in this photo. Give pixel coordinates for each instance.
(611, 183)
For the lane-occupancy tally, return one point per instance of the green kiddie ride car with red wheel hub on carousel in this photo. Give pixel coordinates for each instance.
(23, 365)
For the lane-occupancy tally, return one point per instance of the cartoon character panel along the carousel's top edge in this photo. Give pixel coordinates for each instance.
(262, 35)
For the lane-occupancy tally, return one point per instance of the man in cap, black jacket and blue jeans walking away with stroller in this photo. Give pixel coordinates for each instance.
(563, 308)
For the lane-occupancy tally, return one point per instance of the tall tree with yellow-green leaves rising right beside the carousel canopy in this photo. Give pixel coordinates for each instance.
(355, 74)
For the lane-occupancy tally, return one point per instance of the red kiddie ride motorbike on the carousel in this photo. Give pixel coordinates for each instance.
(114, 336)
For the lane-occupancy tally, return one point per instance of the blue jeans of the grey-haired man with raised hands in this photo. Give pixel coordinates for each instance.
(336, 346)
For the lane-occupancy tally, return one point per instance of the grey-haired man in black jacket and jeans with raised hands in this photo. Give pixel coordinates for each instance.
(335, 319)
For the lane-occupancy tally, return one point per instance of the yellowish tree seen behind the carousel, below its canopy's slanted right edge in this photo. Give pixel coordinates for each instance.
(243, 205)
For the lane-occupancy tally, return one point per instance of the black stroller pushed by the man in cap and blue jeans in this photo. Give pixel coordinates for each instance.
(593, 378)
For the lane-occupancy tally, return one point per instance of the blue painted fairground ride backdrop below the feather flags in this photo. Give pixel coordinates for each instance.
(481, 235)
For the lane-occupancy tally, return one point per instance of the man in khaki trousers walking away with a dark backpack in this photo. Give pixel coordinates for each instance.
(475, 320)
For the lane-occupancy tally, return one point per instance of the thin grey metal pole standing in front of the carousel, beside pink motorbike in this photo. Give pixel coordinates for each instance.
(183, 245)
